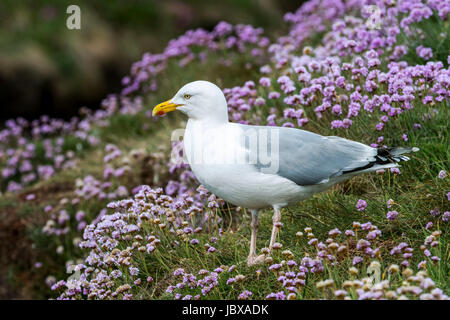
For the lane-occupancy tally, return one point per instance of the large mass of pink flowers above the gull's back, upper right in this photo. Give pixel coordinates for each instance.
(325, 83)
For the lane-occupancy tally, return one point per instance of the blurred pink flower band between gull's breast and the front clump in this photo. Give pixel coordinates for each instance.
(122, 171)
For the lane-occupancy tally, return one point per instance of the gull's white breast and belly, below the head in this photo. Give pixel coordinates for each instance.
(219, 161)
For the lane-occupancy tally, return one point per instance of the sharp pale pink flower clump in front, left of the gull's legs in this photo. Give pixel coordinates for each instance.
(121, 243)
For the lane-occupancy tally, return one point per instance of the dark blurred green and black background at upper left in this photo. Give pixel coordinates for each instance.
(46, 68)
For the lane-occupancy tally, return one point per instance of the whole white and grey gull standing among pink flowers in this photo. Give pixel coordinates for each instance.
(256, 167)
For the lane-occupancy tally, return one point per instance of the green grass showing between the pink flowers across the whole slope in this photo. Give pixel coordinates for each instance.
(416, 191)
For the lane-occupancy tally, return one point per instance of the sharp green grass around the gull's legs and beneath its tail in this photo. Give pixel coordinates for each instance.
(416, 191)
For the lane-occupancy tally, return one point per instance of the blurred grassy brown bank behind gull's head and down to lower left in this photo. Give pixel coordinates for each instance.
(22, 221)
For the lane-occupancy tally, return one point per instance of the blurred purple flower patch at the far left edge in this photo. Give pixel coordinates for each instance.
(31, 151)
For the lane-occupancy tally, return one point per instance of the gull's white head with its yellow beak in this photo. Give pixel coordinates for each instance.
(199, 100)
